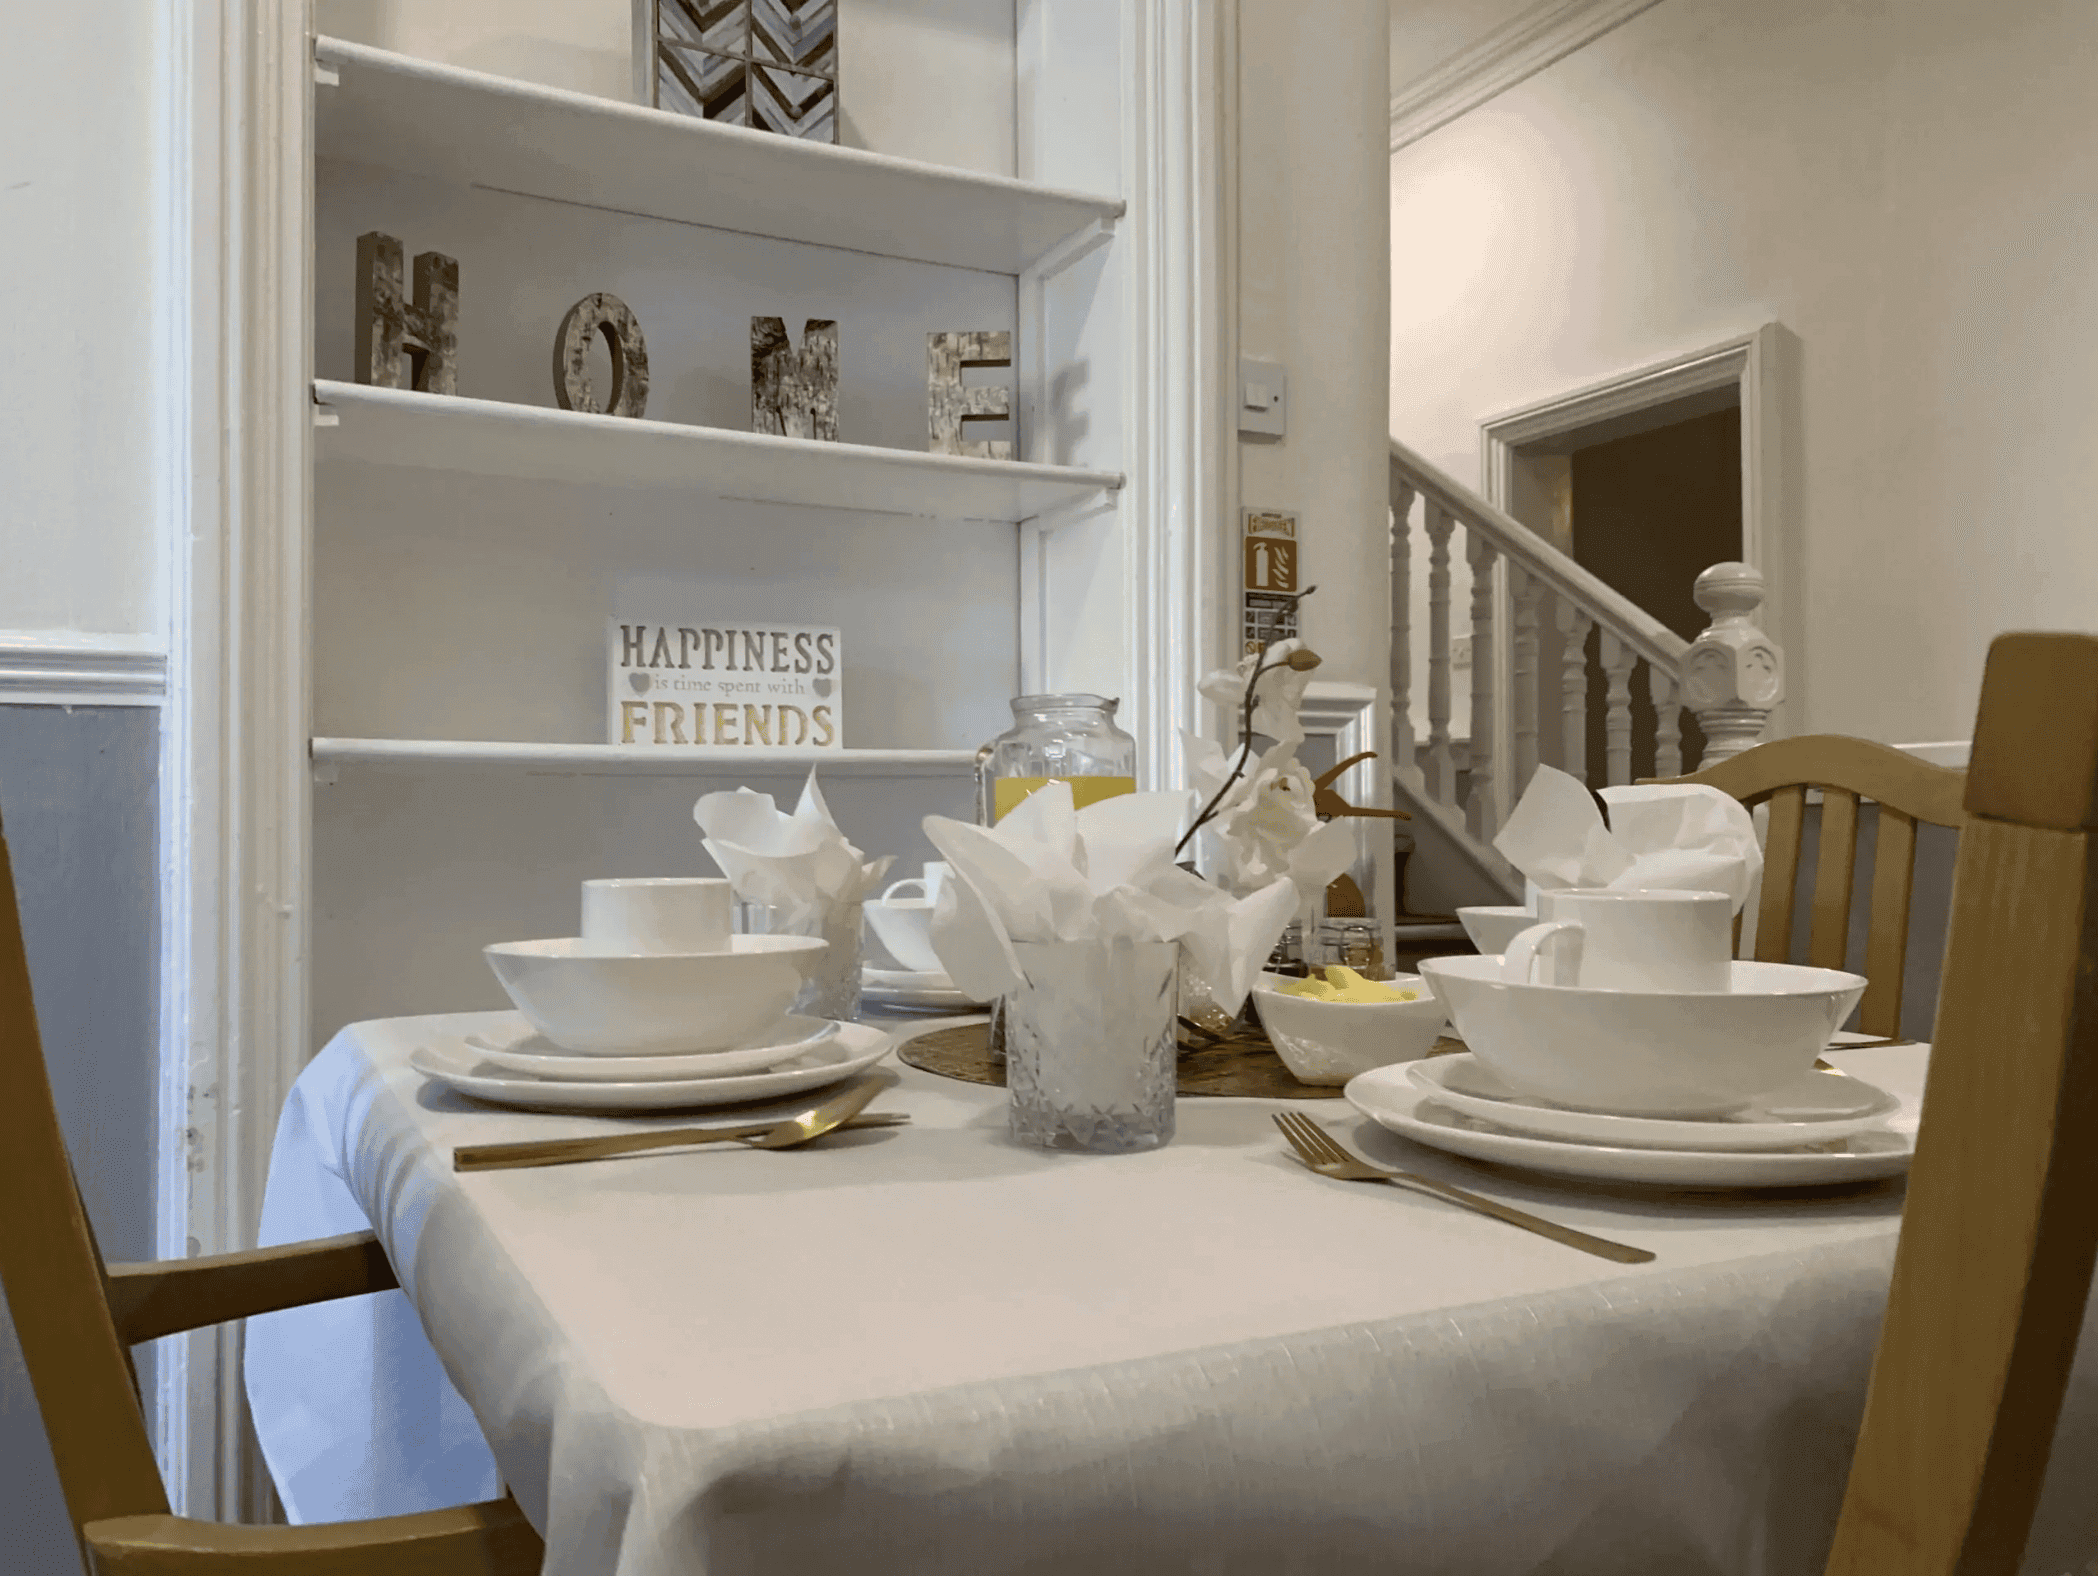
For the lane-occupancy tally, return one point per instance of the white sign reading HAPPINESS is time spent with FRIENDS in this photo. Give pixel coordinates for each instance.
(729, 685)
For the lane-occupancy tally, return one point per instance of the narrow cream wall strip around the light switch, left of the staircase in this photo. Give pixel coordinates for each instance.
(1312, 261)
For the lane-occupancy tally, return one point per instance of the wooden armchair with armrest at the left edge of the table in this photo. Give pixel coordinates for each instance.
(77, 1321)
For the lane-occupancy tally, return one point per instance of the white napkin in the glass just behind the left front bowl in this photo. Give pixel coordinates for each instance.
(800, 864)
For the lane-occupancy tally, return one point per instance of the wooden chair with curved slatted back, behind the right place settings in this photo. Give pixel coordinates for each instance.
(1845, 771)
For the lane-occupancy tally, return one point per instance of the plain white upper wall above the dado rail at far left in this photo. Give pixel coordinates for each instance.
(77, 372)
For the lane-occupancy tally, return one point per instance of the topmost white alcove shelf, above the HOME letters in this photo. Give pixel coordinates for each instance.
(505, 135)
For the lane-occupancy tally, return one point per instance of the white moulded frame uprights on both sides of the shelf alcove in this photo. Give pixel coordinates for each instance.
(236, 503)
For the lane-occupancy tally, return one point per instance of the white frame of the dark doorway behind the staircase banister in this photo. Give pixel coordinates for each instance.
(1751, 366)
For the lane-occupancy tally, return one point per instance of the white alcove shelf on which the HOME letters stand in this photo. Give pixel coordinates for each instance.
(398, 427)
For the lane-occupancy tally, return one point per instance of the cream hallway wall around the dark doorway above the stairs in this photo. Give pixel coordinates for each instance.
(1906, 190)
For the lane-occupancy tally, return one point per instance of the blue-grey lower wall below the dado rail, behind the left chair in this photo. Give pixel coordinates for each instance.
(79, 792)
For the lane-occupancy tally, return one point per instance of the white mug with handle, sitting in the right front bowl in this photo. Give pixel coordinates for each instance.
(1608, 939)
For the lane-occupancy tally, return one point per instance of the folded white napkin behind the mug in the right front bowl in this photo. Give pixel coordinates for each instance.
(1665, 836)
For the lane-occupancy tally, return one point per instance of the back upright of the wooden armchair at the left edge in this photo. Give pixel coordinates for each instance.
(53, 1275)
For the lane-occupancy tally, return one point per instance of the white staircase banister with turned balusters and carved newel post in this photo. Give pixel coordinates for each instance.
(1530, 605)
